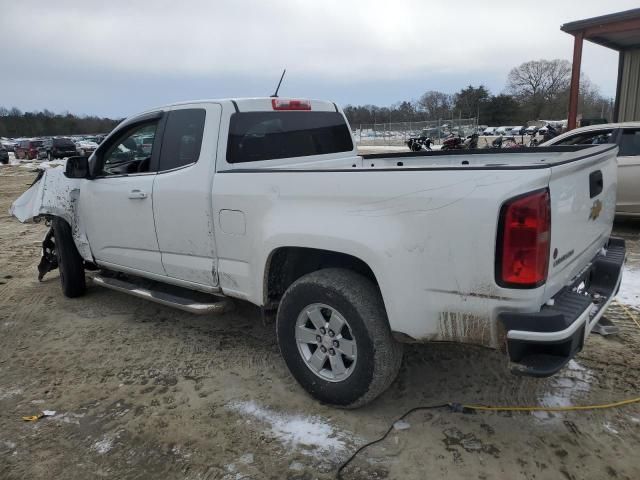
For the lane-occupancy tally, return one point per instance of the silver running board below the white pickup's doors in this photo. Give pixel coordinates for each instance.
(181, 302)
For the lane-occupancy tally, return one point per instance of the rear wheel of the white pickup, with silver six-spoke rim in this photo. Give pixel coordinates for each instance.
(354, 299)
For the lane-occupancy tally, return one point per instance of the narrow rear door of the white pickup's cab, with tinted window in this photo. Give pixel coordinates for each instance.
(182, 193)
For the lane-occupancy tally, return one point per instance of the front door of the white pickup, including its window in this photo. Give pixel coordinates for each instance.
(116, 207)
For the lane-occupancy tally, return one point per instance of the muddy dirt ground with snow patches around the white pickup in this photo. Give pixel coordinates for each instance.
(144, 391)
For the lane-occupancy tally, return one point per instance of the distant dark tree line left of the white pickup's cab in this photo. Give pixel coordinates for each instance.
(15, 123)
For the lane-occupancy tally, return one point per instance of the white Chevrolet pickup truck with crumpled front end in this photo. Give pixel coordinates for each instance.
(267, 200)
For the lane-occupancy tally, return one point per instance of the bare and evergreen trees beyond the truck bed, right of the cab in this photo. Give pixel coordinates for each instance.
(535, 90)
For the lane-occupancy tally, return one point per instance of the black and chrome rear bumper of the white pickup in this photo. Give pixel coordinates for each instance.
(541, 343)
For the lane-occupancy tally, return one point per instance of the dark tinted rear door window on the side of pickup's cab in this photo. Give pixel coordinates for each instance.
(182, 138)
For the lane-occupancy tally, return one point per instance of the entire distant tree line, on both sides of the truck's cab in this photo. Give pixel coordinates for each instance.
(535, 90)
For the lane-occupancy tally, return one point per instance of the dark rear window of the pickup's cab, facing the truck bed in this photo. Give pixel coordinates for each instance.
(255, 136)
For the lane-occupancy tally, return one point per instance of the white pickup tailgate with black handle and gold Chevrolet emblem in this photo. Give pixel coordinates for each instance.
(583, 202)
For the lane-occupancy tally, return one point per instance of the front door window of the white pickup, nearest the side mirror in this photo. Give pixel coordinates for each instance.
(131, 152)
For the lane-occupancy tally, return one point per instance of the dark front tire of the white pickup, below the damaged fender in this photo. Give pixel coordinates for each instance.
(70, 262)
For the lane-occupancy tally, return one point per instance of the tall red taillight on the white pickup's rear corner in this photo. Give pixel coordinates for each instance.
(523, 241)
